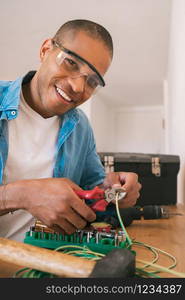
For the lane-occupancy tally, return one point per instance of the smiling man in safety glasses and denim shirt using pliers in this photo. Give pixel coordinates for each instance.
(47, 145)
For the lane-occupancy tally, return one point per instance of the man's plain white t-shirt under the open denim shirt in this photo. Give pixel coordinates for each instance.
(31, 155)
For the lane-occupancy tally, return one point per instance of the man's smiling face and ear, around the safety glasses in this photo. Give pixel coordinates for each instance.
(55, 91)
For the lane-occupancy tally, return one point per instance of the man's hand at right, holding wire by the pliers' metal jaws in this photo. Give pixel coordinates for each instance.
(126, 180)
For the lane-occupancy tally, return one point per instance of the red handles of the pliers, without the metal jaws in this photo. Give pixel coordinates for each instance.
(97, 194)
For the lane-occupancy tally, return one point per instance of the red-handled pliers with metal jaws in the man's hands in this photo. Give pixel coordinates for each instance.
(103, 197)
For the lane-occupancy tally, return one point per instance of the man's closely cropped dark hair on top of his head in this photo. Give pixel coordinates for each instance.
(93, 29)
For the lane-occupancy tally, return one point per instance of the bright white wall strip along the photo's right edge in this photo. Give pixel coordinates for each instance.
(176, 91)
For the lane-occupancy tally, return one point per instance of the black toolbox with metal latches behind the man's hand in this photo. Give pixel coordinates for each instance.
(157, 174)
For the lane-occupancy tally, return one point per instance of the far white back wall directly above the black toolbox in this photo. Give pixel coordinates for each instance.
(139, 129)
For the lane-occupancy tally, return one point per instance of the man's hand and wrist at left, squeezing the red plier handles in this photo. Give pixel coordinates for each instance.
(52, 201)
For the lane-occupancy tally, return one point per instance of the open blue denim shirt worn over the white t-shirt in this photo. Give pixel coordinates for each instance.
(76, 156)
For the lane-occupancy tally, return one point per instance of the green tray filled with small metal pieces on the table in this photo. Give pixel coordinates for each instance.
(102, 239)
